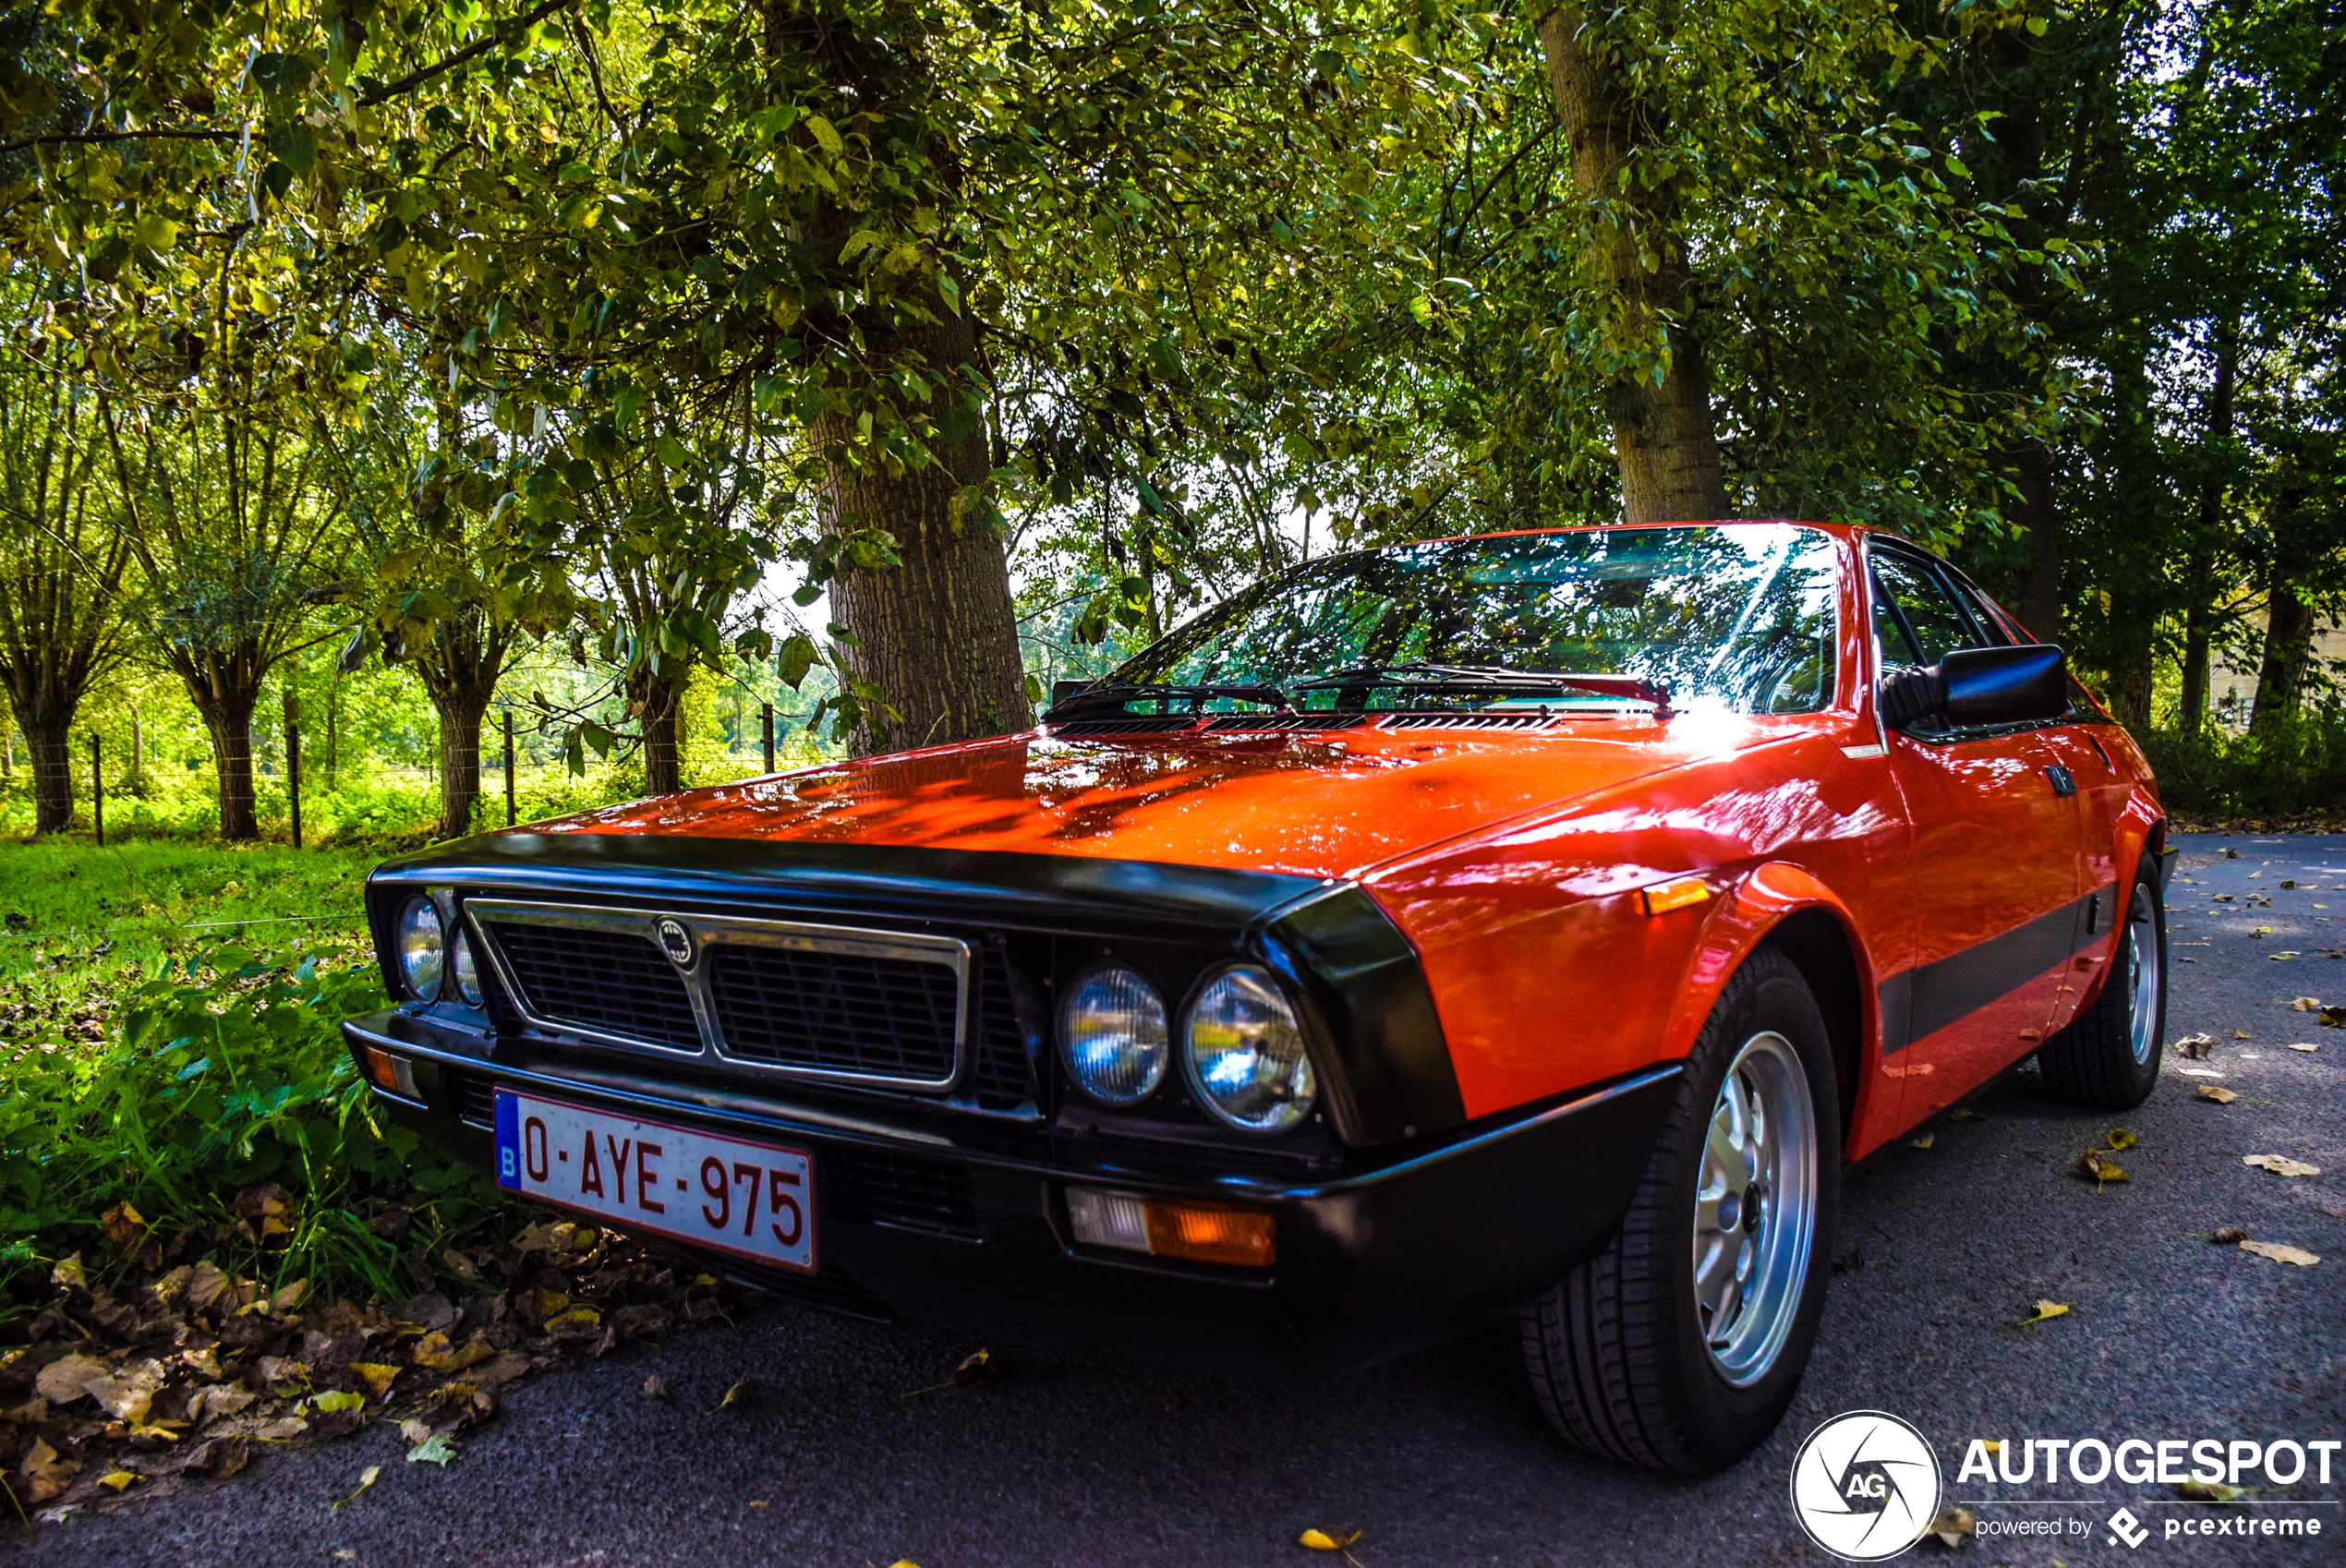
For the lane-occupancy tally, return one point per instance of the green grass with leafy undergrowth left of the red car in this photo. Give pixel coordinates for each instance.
(170, 1039)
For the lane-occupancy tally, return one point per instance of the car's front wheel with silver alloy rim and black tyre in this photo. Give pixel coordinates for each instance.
(1683, 1342)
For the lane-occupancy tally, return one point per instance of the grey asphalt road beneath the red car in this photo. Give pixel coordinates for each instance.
(1442, 1459)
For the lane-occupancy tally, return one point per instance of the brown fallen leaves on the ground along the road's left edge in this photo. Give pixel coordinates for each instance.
(158, 1368)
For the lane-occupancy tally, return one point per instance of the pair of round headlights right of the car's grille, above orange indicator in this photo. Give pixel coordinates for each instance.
(1242, 1051)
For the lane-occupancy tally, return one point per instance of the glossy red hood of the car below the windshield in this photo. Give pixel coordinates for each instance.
(1301, 805)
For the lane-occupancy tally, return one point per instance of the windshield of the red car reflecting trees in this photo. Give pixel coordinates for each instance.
(1733, 618)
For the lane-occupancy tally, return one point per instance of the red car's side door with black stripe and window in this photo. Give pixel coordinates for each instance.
(1993, 866)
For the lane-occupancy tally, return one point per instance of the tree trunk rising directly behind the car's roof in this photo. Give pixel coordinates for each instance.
(1664, 435)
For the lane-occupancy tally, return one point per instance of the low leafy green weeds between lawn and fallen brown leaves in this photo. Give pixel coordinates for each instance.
(229, 1117)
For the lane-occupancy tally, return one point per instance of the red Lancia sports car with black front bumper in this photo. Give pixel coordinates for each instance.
(1524, 925)
